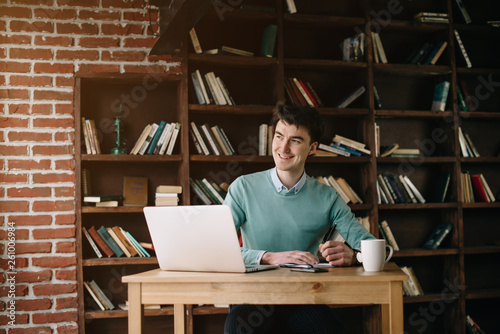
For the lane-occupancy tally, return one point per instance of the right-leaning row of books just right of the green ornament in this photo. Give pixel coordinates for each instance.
(157, 139)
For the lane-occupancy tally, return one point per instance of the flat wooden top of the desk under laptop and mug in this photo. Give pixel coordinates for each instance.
(338, 274)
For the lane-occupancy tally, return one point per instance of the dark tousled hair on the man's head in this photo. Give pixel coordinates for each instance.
(306, 117)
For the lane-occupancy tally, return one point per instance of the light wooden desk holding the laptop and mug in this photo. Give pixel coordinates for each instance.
(349, 285)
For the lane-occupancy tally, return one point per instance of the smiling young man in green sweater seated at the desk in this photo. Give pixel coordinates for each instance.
(283, 215)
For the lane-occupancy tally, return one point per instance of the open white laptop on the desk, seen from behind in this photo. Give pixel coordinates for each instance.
(196, 238)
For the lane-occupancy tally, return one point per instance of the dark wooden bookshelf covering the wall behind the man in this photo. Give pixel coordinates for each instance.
(307, 46)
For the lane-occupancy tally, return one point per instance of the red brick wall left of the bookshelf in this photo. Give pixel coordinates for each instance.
(43, 43)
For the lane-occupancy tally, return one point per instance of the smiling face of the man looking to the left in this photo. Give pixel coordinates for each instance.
(291, 146)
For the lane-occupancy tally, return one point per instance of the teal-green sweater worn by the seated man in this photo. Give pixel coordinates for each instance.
(277, 222)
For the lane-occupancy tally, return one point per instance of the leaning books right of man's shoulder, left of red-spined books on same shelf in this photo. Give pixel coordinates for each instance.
(392, 189)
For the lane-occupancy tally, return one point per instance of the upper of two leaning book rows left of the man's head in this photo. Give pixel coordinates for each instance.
(210, 89)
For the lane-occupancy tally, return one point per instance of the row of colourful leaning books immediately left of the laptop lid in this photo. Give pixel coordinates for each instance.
(113, 241)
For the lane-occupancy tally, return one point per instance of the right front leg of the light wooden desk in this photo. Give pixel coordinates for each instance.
(392, 313)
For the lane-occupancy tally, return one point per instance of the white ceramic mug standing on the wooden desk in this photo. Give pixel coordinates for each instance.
(373, 255)
